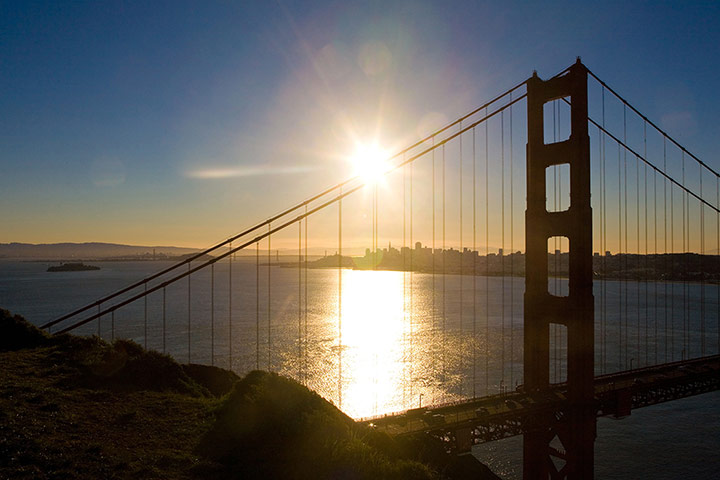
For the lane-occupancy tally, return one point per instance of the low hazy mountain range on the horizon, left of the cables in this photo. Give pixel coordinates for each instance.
(86, 251)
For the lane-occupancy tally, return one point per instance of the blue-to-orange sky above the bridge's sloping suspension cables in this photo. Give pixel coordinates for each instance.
(181, 123)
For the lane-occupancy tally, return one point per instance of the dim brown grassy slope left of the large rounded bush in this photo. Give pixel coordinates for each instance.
(63, 416)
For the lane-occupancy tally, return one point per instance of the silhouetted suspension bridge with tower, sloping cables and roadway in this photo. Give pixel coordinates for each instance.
(619, 250)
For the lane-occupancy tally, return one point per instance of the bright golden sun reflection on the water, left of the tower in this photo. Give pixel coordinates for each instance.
(398, 343)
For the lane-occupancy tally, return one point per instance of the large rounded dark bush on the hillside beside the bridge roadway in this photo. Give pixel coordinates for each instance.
(272, 427)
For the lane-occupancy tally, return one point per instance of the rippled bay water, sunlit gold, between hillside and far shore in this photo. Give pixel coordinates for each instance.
(378, 342)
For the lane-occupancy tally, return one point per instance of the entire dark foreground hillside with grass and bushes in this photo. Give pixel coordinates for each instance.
(81, 408)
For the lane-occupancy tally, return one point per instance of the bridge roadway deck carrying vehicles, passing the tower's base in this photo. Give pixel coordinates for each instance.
(464, 423)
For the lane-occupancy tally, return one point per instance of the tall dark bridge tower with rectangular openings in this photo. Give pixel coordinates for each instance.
(574, 426)
